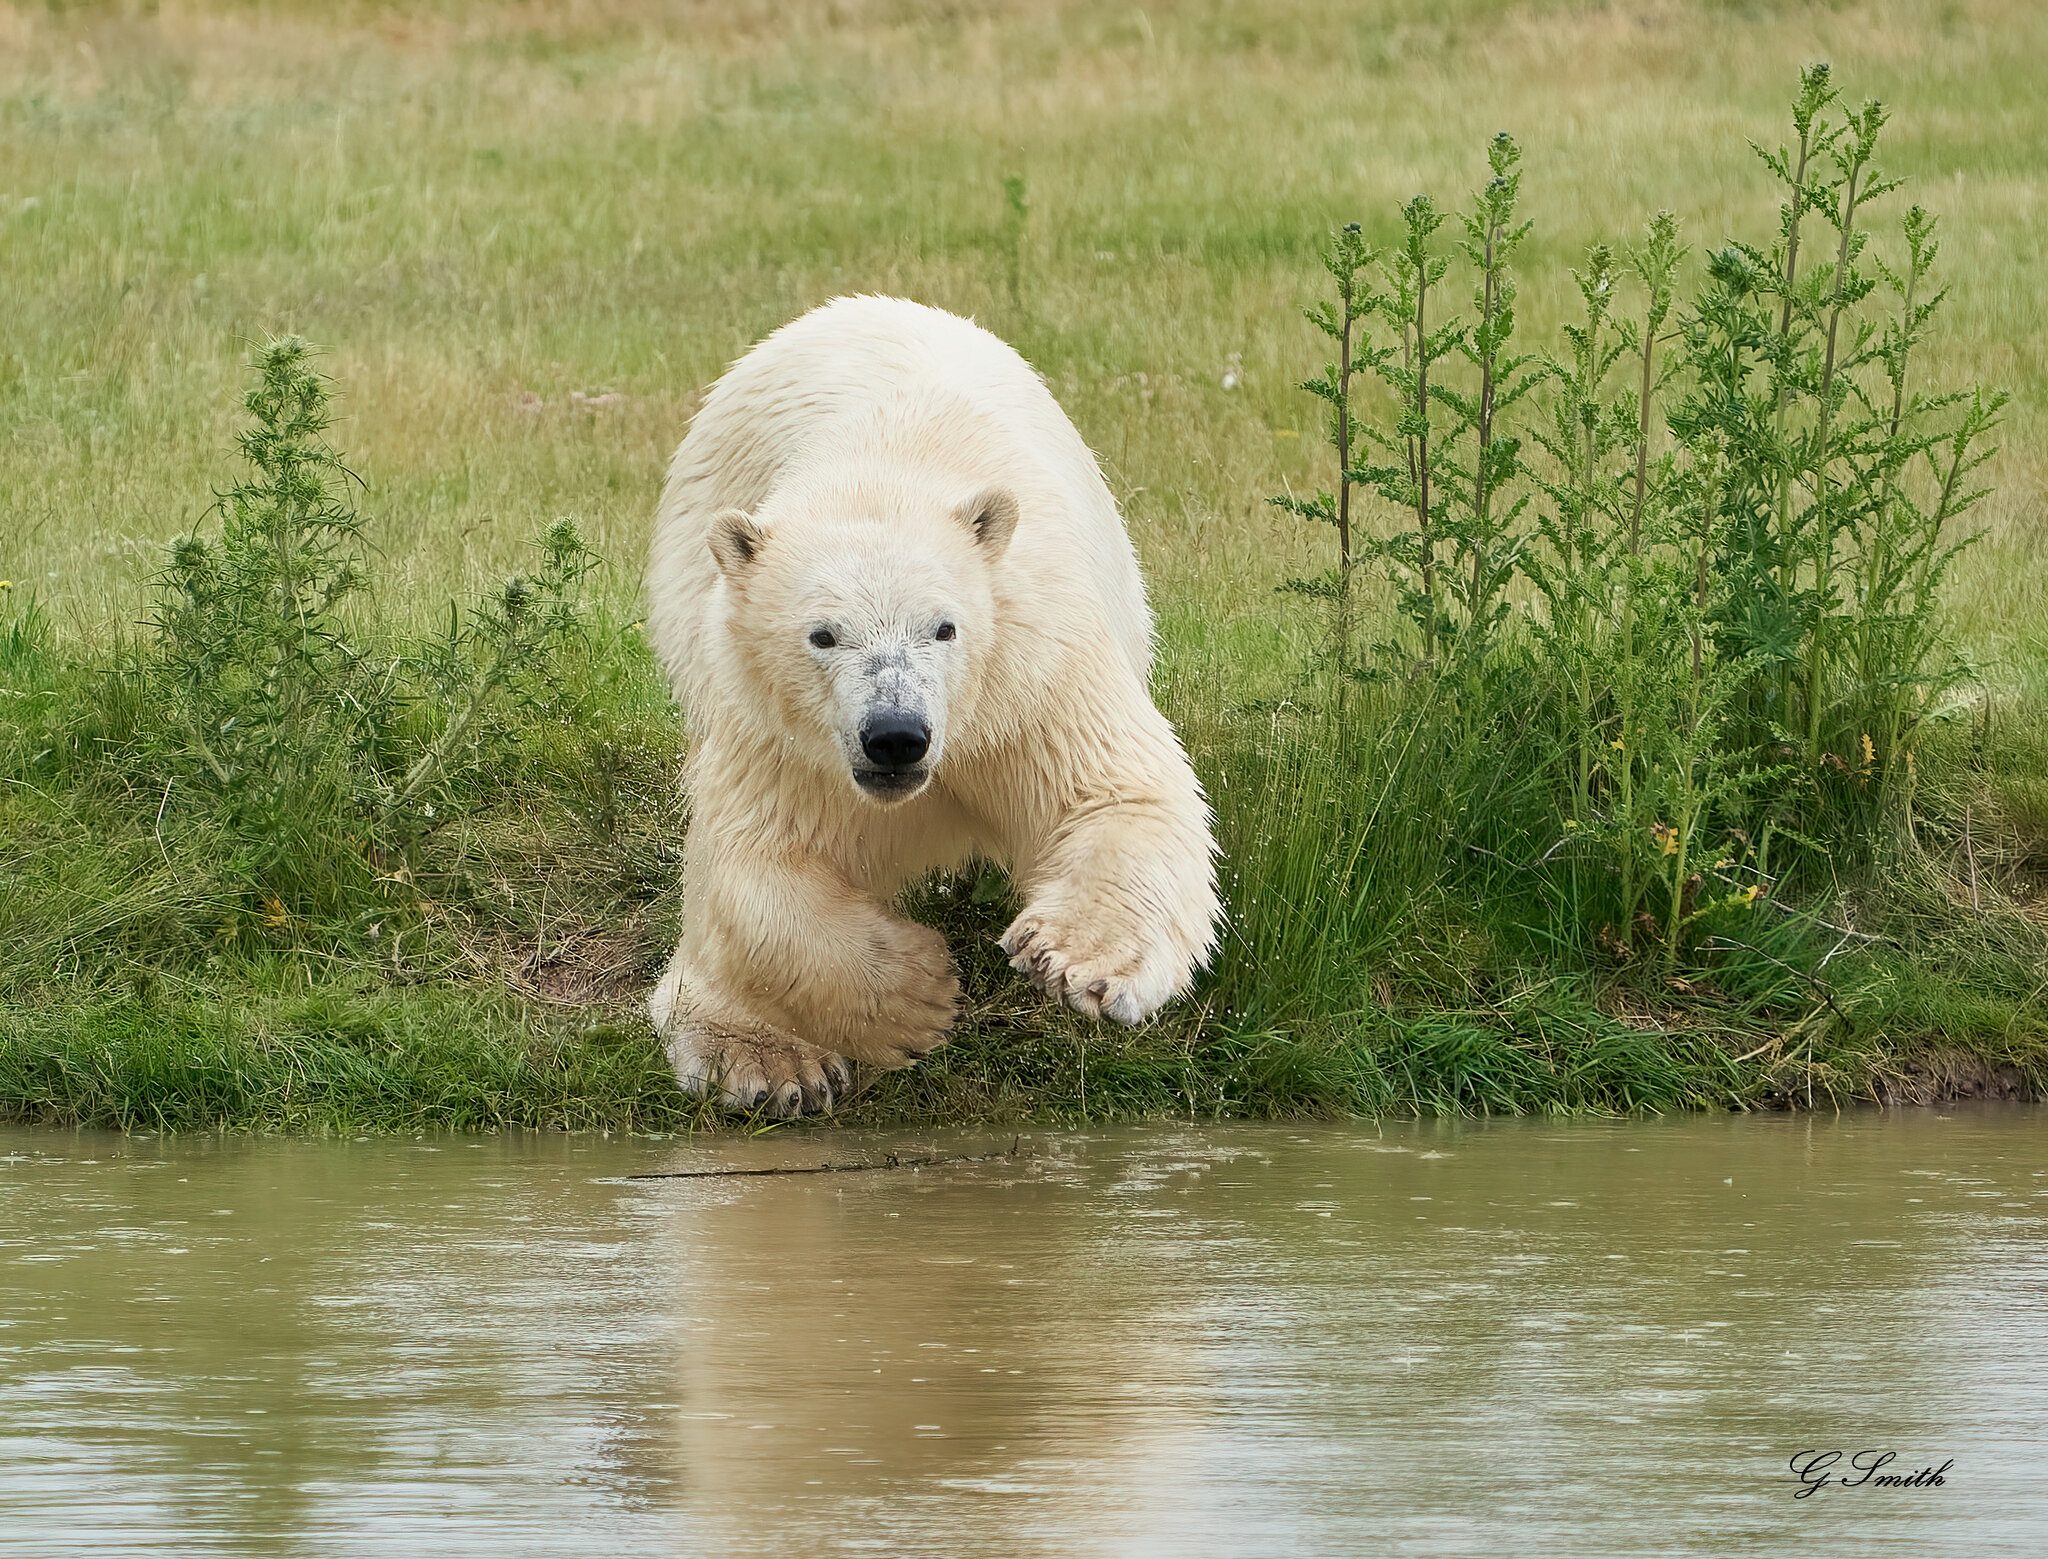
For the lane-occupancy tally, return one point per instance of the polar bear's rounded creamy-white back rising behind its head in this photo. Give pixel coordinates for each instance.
(798, 394)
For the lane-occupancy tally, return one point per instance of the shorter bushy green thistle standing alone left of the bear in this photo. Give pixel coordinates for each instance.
(269, 724)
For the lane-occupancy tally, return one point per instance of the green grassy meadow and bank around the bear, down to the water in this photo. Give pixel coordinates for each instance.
(534, 237)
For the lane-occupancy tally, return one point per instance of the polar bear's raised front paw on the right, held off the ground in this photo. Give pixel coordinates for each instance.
(1119, 904)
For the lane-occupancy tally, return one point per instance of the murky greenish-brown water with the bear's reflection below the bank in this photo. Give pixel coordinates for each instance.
(1295, 1341)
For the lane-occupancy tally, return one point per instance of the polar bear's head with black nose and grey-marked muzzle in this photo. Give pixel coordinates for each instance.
(867, 622)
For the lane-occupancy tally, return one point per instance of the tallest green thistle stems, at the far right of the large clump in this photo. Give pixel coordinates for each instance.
(1857, 462)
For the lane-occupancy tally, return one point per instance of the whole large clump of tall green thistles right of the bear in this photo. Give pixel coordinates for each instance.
(1734, 507)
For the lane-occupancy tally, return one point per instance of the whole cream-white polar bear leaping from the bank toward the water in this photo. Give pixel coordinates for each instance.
(906, 628)
